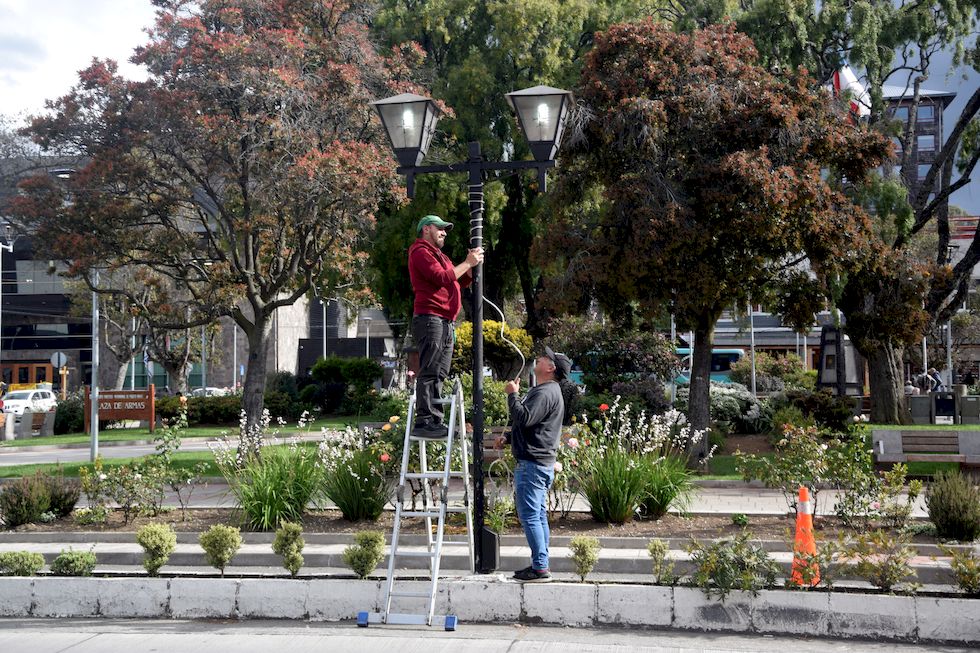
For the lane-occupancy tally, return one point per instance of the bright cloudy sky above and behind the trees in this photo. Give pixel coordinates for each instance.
(44, 43)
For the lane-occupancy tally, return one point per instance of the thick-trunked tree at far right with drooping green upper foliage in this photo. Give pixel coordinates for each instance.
(895, 43)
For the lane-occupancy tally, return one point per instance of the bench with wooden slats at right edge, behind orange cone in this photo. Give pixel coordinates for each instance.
(946, 446)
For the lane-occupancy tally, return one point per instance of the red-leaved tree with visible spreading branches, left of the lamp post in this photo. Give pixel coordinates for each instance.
(243, 173)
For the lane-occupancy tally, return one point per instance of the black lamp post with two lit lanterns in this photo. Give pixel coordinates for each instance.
(410, 122)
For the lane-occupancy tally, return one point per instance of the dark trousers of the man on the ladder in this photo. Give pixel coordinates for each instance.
(434, 338)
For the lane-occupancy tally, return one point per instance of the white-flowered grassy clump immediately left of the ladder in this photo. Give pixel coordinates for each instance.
(354, 475)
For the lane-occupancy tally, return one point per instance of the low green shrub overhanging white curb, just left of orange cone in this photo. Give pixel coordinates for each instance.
(726, 565)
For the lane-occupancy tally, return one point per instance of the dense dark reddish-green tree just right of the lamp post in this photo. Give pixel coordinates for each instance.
(704, 171)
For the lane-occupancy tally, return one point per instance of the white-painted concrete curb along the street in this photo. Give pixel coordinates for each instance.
(490, 599)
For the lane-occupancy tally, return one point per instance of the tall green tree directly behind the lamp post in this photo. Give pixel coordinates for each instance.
(476, 52)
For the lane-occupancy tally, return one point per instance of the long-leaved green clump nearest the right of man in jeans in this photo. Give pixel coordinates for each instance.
(615, 484)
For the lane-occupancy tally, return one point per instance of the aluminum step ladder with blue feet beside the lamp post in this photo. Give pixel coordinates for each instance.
(455, 437)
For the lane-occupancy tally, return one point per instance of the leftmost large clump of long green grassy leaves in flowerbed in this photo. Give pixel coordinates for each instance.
(278, 487)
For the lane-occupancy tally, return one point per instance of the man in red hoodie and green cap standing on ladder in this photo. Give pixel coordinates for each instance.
(436, 282)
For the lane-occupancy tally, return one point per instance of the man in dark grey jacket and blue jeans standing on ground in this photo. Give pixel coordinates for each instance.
(535, 430)
